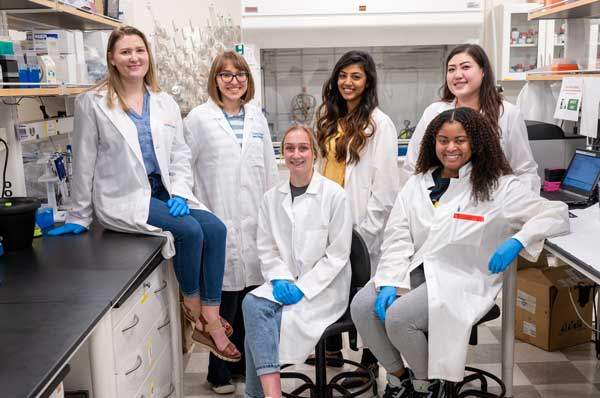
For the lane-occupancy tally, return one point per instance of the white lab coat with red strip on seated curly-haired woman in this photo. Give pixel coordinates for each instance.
(455, 253)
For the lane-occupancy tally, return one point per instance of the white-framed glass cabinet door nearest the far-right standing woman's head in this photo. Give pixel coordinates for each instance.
(524, 44)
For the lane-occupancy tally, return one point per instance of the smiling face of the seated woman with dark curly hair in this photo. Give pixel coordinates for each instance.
(453, 148)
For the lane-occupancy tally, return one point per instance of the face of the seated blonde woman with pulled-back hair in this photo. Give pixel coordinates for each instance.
(298, 154)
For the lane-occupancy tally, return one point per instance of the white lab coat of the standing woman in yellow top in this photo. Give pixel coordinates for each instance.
(372, 183)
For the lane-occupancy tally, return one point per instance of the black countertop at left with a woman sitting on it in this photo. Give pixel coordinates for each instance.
(52, 295)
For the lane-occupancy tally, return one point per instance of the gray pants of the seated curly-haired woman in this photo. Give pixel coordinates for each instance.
(406, 322)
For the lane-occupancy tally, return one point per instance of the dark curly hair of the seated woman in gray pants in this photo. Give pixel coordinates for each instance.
(487, 157)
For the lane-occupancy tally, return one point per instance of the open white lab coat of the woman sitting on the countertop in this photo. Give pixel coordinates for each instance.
(109, 176)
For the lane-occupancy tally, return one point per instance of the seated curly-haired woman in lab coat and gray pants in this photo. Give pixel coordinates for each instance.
(456, 225)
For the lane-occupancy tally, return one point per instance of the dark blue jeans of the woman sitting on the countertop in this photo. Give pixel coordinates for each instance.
(200, 240)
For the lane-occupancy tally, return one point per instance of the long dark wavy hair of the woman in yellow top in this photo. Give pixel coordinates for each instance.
(334, 110)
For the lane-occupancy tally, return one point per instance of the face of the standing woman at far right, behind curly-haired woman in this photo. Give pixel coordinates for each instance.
(463, 77)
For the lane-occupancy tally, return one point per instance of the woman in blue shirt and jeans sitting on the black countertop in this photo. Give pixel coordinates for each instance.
(132, 167)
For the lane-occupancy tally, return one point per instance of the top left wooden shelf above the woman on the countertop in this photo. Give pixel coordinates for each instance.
(27, 14)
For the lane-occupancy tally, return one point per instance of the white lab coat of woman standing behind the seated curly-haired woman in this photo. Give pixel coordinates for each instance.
(514, 142)
